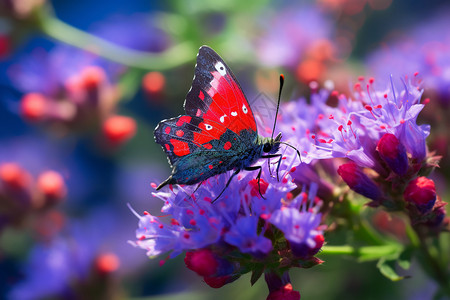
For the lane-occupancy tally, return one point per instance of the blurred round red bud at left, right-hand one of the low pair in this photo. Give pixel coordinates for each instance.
(51, 184)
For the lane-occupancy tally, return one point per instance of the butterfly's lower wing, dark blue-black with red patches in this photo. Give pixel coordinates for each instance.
(198, 149)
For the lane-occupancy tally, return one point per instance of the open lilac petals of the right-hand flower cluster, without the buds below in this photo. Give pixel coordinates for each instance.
(354, 127)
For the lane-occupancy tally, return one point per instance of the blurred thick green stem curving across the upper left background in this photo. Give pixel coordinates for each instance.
(63, 32)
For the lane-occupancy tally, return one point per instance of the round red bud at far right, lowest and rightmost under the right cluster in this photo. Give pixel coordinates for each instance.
(421, 192)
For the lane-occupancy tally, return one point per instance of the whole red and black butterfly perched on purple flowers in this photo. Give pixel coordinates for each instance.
(218, 133)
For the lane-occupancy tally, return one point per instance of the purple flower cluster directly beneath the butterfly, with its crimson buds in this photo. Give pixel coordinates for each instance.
(239, 221)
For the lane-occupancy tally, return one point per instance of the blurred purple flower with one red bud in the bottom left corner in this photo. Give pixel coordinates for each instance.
(87, 253)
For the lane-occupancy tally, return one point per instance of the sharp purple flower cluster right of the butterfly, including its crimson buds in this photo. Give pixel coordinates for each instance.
(377, 131)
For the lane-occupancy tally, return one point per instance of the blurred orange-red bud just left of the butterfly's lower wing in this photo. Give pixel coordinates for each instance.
(119, 129)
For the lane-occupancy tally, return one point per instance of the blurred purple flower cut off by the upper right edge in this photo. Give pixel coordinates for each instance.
(423, 49)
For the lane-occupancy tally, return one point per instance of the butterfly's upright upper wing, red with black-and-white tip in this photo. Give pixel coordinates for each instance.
(216, 95)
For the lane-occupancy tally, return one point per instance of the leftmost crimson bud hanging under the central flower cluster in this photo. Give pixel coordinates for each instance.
(203, 262)
